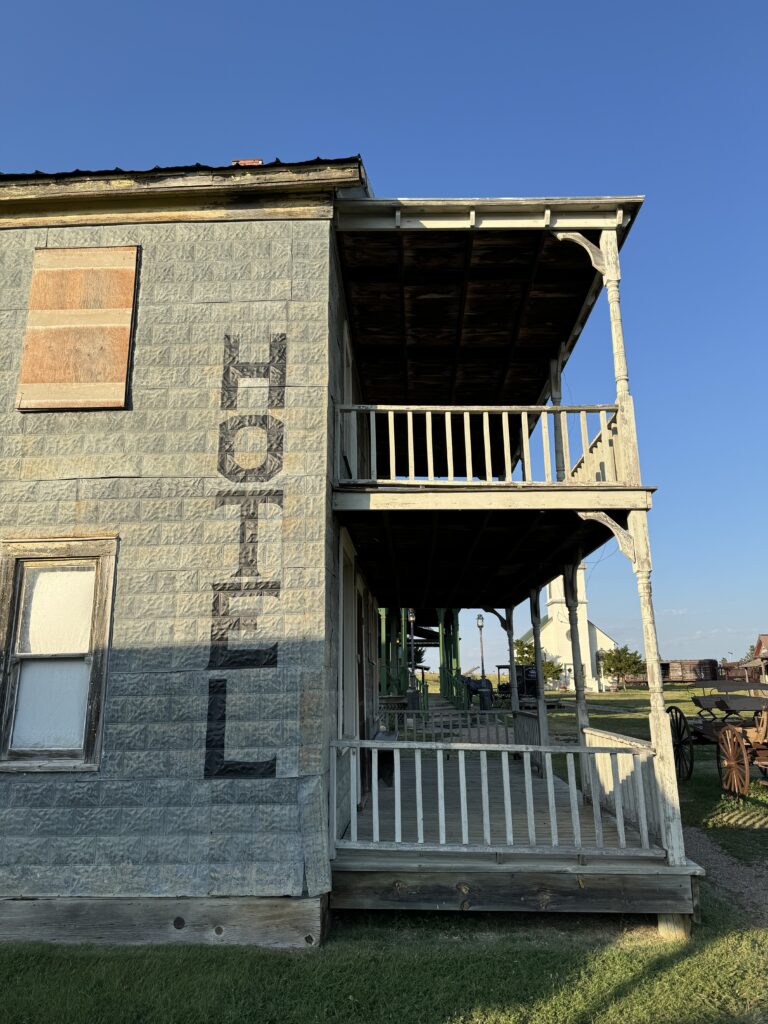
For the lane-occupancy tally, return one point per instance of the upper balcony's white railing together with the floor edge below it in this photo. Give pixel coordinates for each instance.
(547, 457)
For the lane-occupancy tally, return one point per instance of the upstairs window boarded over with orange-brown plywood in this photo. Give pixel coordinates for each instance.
(79, 329)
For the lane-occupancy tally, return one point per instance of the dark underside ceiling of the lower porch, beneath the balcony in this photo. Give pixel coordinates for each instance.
(483, 559)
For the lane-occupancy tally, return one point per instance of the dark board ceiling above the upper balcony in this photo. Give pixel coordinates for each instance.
(463, 317)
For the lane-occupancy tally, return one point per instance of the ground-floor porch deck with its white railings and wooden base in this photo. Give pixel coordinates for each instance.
(455, 821)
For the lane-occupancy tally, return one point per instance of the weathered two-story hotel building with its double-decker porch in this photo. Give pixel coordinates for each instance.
(243, 410)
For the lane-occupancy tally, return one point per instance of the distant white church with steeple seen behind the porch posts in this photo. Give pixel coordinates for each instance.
(557, 633)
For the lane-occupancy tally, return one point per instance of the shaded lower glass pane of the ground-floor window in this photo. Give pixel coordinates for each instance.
(51, 705)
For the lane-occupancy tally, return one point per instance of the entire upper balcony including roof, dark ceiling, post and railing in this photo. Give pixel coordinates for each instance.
(462, 316)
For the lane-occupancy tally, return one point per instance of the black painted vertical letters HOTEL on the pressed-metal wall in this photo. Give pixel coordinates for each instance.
(246, 582)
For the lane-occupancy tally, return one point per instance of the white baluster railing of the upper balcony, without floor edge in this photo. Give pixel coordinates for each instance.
(510, 446)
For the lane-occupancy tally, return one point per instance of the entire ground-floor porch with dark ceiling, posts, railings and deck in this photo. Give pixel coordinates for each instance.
(454, 807)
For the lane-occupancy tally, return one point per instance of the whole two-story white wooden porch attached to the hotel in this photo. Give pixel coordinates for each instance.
(461, 480)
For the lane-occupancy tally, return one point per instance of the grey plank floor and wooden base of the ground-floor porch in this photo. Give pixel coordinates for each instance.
(552, 852)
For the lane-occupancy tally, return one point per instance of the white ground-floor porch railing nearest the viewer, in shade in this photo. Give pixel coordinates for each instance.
(482, 798)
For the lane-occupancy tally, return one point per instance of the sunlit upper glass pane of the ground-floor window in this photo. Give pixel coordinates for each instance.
(57, 609)
